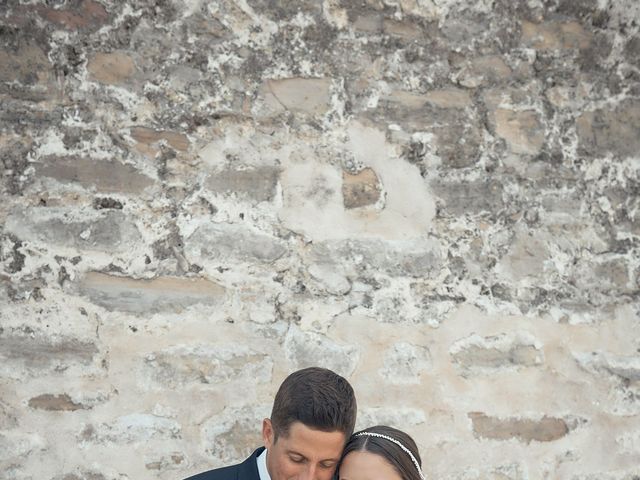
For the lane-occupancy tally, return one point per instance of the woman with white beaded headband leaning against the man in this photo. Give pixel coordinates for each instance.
(381, 453)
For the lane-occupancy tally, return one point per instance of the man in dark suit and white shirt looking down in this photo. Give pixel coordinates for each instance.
(313, 415)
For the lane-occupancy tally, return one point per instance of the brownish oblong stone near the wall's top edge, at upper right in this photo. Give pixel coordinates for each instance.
(555, 35)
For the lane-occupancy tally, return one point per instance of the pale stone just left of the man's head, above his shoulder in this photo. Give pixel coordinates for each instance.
(235, 433)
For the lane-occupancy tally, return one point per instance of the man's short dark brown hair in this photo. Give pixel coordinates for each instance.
(318, 398)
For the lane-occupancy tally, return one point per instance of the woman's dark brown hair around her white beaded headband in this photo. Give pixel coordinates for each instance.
(388, 450)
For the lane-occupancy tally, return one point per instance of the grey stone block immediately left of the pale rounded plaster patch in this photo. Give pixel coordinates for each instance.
(254, 183)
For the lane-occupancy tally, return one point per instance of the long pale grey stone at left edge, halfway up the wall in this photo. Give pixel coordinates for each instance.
(106, 230)
